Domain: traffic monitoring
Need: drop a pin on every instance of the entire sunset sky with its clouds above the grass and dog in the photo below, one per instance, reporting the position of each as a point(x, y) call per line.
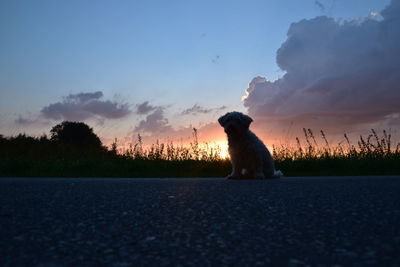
point(160, 68)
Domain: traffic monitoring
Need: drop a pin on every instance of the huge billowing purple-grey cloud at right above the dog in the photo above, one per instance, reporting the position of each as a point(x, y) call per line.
point(340, 75)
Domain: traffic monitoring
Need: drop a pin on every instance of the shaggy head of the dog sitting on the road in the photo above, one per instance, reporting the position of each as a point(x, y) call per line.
point(235, 122)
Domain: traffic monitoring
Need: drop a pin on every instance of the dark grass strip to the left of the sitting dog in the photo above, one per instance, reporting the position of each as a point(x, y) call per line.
point(41, 157)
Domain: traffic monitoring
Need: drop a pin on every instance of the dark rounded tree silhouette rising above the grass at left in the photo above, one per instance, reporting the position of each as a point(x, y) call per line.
point(75, 133)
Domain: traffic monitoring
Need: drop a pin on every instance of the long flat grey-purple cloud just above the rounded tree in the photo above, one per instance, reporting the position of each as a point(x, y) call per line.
point(84, 106)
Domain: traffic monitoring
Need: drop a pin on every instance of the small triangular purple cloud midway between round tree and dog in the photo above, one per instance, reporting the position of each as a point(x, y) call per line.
point(154, 123)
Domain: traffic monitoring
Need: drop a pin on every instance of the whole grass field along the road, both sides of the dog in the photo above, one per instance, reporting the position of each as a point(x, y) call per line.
point(42, 157)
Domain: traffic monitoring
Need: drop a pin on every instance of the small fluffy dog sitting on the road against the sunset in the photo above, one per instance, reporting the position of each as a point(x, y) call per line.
point(250, 158)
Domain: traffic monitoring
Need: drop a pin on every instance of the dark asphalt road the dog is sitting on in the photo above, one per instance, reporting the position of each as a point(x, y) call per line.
point(347, 221)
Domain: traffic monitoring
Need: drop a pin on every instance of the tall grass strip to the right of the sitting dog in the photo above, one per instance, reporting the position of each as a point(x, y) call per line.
point(372, 155)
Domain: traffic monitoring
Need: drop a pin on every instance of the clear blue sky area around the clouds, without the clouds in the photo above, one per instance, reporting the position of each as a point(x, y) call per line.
point(174, 54)
